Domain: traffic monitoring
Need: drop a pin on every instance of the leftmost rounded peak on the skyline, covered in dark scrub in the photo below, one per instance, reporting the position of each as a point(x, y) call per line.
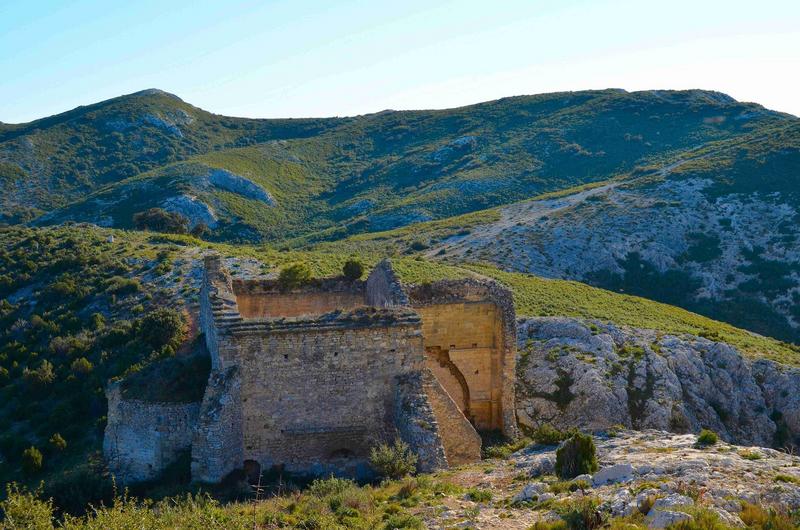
point(47, 163)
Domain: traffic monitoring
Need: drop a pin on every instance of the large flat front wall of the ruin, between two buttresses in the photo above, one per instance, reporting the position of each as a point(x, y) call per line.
point(330, 393)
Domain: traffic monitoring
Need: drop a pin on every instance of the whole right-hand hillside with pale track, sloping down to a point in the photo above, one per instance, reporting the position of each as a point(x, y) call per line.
point(714, 230)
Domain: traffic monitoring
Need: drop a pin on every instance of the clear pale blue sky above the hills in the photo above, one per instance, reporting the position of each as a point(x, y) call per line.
point(324, 58)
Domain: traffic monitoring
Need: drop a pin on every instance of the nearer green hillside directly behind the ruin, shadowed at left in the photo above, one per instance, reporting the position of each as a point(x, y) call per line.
point(78, 309)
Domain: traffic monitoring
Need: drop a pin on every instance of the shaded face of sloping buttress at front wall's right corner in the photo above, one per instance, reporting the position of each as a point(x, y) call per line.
point(416, 422)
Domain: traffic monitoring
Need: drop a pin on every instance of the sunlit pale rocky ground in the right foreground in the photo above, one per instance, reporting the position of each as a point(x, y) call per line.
point(653, 477)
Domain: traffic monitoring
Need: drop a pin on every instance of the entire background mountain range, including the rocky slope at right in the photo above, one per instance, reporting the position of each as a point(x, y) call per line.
point(686, 197)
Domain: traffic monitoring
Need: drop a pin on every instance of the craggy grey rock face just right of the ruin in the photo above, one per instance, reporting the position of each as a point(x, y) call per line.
point(593, 375)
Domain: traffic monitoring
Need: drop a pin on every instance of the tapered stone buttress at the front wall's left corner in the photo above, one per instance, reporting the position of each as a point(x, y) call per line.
point(217, 442)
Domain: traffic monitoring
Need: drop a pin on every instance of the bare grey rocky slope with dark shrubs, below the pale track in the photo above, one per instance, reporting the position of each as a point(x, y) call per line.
point(646, 236)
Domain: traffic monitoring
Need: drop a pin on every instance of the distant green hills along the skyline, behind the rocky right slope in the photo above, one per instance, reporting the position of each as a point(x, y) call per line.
point(325, 179)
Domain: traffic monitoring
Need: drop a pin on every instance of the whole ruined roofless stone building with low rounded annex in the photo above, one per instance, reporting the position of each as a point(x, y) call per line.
point(313, 378)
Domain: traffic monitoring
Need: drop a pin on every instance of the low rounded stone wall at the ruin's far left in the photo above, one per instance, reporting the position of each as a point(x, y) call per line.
point(143, 438)
